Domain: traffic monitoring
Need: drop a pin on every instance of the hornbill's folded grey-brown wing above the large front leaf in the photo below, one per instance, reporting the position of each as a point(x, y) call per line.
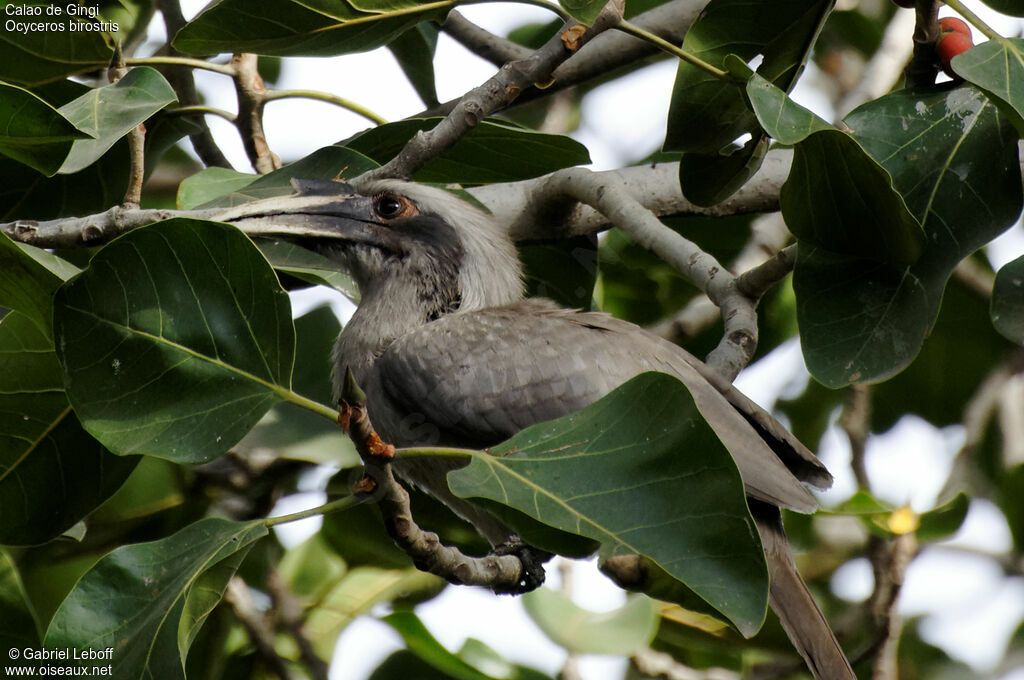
point(480, 377)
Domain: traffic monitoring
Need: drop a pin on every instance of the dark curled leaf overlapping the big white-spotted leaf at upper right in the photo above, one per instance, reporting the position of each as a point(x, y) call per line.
point(839, 199)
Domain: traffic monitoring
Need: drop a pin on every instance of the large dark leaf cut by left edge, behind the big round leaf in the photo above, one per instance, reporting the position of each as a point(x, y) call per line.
point(53, 474)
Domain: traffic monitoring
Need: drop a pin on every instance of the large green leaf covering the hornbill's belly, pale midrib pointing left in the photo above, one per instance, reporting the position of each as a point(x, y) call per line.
point(649, 433)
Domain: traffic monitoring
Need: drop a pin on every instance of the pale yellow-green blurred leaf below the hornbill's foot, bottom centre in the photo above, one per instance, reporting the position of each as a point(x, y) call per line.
point(621, 632)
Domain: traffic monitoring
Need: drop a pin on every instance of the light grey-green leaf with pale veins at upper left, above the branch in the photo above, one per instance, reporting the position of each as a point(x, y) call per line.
point(110, 113)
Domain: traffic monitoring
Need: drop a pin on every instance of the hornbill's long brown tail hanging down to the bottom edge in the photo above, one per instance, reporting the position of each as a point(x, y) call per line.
point(800, 615)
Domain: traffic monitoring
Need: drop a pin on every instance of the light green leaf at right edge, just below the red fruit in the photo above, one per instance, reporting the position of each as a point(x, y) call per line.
point(998, 68)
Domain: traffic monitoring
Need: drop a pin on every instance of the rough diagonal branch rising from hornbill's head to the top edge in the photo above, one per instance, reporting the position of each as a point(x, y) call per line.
point(497, 94)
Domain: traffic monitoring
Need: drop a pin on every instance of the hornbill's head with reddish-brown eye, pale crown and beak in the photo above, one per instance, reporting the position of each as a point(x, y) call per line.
point(393, 236)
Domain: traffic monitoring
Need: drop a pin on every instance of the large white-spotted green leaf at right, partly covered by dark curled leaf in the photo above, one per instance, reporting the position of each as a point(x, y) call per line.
point(954, 159)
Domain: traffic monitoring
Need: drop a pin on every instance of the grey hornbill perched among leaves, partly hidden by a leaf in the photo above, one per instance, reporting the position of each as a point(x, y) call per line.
point(450, 353)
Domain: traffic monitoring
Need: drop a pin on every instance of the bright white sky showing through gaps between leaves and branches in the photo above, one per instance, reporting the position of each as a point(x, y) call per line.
point(969, 609)
